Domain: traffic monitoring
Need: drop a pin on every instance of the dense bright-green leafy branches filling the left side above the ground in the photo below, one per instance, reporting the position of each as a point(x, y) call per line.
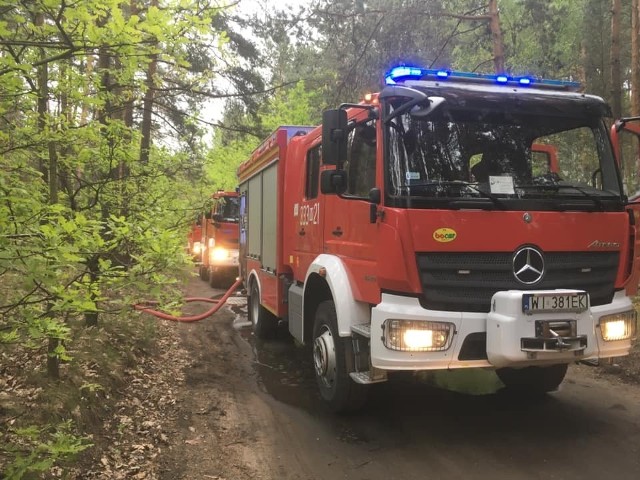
point(111, 224)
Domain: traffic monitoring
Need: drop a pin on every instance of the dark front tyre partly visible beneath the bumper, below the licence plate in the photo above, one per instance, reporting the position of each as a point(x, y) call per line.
point(532, 380)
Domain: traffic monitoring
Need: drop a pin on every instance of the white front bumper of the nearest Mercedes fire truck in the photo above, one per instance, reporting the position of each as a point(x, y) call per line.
point(513, 338)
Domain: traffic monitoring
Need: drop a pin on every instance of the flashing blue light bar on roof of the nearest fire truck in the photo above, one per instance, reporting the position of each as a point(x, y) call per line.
point(403, 73)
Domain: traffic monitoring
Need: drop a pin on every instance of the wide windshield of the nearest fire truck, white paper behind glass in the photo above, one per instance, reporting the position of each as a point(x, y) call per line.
point(503, 159)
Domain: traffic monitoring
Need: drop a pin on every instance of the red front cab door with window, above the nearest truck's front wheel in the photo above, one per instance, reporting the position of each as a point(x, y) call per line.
point(348, 232)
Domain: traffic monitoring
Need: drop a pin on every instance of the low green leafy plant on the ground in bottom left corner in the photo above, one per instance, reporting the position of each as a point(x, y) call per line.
point(35, 450)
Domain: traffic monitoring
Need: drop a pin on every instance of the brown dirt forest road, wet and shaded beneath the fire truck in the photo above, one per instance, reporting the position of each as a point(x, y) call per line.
point(249, 410)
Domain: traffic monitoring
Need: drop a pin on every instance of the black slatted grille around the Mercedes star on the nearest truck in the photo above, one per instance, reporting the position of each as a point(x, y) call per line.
point(467, 281)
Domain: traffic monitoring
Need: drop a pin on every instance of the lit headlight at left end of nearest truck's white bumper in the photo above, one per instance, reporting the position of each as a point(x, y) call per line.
point(417, 336)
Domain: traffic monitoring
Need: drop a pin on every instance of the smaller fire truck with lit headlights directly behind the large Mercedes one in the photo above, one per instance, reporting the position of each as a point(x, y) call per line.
point(219, 242)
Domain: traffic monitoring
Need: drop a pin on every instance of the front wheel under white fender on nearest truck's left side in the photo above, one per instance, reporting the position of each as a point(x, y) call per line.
point(332, 357)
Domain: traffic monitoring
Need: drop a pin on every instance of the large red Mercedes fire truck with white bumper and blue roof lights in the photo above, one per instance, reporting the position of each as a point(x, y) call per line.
point(417, 231)
